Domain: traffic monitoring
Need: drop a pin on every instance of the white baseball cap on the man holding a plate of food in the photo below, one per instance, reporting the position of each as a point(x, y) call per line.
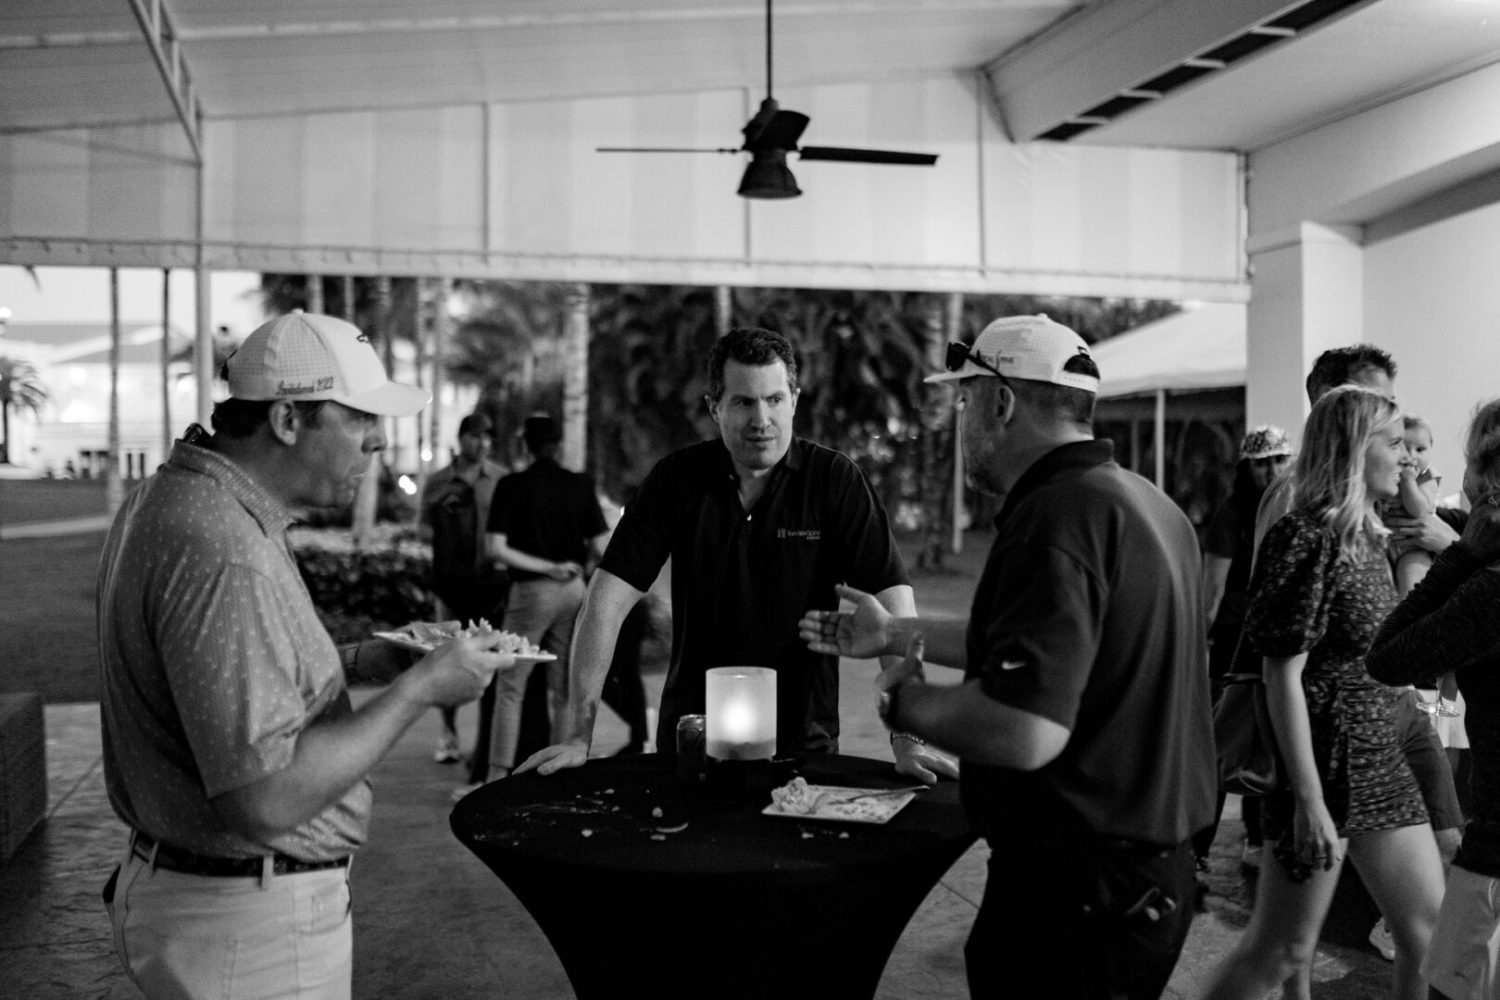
point(308, 356)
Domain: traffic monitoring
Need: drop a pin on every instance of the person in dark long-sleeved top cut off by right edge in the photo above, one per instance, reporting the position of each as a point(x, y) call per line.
point(1451, 623)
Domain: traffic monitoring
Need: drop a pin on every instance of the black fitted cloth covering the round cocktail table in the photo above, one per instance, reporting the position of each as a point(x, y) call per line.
point(647, 887)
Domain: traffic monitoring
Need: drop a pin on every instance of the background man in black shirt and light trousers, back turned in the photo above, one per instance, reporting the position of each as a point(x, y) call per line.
point(545, 525)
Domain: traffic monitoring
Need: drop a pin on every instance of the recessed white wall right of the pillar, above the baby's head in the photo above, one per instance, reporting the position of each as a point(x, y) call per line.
point(1433, 301)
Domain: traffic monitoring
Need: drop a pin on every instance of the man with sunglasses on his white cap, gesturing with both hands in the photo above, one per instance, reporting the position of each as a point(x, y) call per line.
point(1084, 722)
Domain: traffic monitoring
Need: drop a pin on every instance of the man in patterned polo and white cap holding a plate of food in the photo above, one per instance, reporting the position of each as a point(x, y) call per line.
point(232, 749)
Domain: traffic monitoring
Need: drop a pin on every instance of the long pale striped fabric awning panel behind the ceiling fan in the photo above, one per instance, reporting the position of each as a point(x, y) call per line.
point(541, 202)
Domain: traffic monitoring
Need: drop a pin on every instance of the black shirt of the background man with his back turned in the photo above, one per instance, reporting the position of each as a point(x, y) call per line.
point(547, 512)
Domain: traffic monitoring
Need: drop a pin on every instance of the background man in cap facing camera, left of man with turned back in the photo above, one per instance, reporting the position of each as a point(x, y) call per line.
point(466, 584)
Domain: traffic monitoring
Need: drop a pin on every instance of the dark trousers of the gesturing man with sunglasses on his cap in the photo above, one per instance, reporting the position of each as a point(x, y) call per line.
point(1064, 924)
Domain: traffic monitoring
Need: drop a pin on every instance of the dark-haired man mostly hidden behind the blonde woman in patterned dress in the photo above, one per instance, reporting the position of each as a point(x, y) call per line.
point(1367, 365)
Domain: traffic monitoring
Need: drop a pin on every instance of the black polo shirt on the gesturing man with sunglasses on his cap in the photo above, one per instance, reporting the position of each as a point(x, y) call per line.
point(1088, 614)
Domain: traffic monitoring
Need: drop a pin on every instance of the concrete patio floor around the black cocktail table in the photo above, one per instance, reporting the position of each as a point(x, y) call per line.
point(433, 923)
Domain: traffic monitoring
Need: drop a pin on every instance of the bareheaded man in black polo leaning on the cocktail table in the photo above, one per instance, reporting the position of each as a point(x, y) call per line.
point(760, 527)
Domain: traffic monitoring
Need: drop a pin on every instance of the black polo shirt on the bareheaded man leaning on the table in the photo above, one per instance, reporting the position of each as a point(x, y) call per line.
point(743, 579)
